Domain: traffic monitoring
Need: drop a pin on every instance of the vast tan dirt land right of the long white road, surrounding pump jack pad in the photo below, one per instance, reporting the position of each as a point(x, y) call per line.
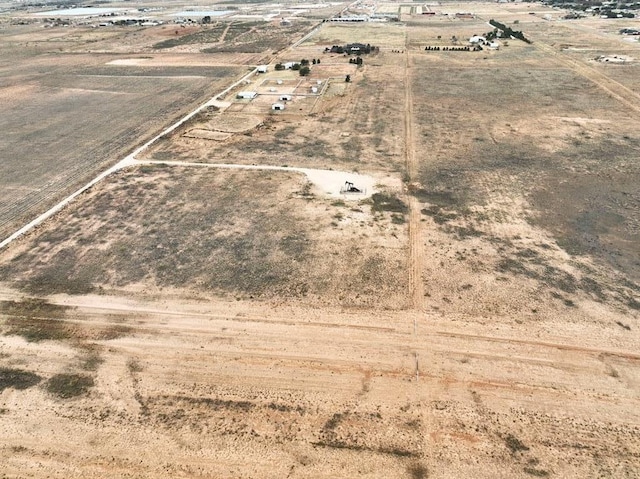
point(476, 317)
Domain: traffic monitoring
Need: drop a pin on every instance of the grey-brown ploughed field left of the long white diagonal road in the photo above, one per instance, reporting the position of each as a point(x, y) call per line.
point(66, 116)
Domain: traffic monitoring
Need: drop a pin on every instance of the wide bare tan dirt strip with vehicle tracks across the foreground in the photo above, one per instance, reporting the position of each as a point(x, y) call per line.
point(239, 390)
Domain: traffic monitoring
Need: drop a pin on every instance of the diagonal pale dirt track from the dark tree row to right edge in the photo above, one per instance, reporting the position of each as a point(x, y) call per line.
point(617, 90)
